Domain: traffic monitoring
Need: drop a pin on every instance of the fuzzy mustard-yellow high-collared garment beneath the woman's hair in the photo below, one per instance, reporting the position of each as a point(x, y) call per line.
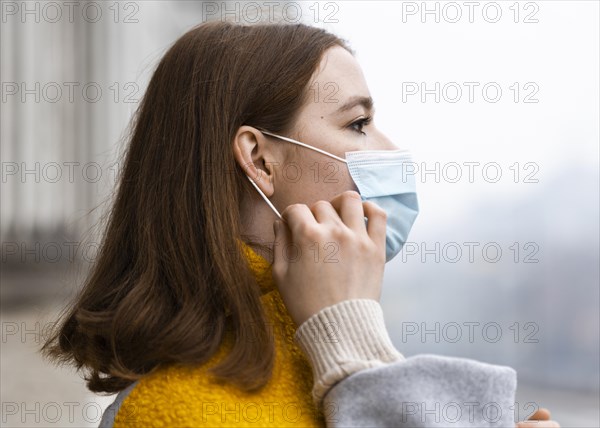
point(188, 397)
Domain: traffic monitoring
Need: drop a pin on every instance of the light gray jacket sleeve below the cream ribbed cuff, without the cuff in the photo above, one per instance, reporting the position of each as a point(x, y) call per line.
point(424, 391)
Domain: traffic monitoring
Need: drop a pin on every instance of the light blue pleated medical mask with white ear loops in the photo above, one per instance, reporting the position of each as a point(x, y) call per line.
point(381, 177)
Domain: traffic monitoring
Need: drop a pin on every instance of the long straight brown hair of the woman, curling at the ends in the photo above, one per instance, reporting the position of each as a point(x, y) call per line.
point(170, 265)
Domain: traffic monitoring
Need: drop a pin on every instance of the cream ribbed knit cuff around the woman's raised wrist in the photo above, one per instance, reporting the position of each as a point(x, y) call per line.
point(342, 339)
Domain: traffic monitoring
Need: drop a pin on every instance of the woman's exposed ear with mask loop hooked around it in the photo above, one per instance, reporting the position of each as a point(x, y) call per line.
point(254, 155)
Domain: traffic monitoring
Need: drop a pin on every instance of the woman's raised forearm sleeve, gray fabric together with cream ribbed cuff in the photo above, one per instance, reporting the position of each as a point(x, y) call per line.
point(362, 380)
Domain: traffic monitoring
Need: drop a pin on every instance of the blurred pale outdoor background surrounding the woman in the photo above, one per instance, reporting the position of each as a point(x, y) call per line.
point(498, 101)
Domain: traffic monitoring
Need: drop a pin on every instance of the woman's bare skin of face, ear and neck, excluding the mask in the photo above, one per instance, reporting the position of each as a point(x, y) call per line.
point(335, 118)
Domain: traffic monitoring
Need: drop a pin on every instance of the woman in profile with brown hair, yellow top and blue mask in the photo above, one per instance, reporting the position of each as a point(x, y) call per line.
point(193, 307)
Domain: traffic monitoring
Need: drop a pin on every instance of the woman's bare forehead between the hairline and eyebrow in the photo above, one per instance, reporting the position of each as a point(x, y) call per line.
point(338, 78)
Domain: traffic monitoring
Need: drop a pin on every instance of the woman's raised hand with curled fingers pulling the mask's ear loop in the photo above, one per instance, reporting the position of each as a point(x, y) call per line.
point(326, 254)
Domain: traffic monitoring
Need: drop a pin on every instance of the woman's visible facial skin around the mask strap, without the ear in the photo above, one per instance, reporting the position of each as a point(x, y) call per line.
point(335, 119)
